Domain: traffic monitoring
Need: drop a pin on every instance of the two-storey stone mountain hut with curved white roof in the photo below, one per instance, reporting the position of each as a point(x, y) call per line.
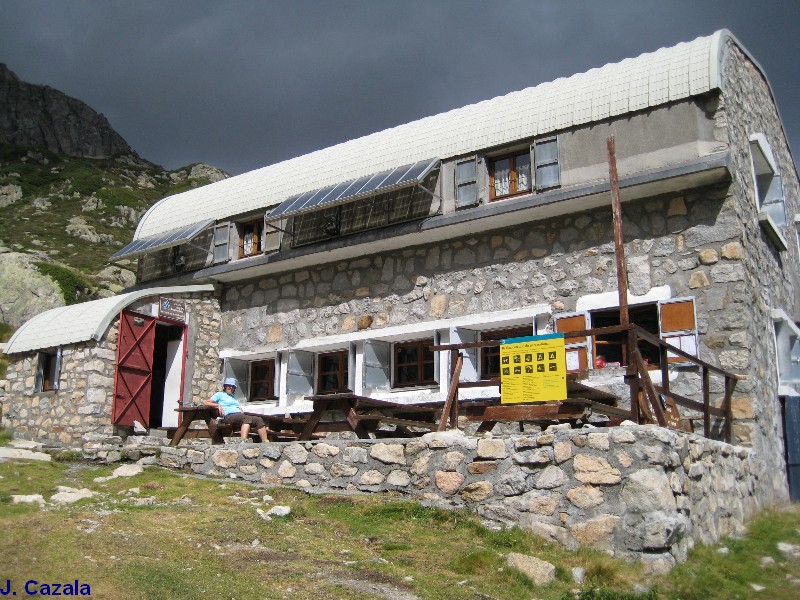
point(340, 268)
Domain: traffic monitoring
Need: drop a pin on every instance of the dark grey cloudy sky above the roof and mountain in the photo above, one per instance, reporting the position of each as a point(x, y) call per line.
point(243, 84)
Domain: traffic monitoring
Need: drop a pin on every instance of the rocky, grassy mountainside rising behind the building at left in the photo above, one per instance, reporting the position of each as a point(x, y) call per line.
point(71, 194)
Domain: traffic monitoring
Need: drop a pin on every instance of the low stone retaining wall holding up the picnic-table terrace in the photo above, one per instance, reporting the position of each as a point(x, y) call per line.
point(637, 492)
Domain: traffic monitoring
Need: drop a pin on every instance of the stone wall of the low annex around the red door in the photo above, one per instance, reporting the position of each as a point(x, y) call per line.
point(83, 403)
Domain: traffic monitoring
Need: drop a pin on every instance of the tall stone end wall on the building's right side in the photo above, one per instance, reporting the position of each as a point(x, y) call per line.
point(770, 277)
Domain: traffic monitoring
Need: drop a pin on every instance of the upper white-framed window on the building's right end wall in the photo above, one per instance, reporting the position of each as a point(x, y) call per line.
point(764, 171)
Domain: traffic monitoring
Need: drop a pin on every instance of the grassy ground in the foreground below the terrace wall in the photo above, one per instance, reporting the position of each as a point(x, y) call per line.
point(198, 540)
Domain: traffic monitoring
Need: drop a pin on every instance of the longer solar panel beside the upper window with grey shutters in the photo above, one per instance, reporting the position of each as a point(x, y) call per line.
point(350, 190)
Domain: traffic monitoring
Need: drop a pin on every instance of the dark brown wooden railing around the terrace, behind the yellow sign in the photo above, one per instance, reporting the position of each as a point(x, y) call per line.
point(650, 403)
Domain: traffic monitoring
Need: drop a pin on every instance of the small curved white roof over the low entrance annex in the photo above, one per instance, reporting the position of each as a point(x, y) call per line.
point(81, 322)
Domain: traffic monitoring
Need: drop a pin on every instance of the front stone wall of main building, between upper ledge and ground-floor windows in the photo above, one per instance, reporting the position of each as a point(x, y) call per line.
point(689, 241)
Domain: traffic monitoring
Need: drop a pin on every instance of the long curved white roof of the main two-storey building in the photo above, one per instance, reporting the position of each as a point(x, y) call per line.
point(634, 84)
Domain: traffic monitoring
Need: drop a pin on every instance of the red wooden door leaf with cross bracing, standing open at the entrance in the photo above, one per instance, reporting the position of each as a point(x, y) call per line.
point(134, 377)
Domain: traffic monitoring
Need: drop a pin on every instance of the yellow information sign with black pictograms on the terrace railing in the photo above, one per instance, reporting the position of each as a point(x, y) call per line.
point(533, 369)
